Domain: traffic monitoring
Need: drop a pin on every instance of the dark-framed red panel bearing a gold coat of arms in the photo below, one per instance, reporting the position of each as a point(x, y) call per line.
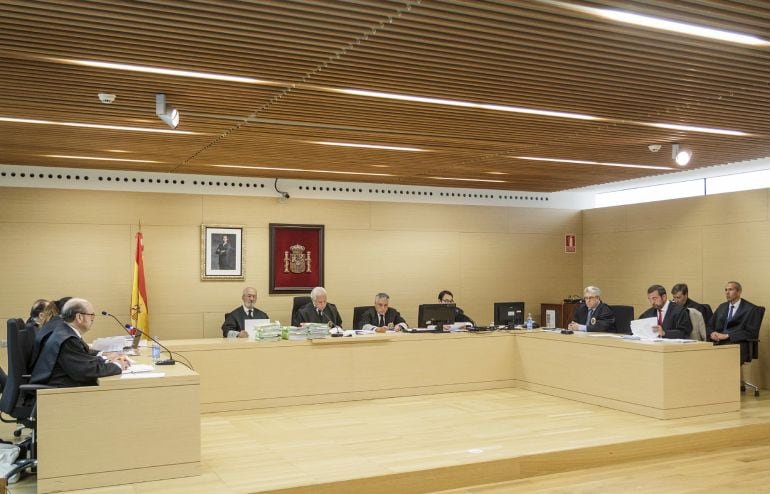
point(296, 258)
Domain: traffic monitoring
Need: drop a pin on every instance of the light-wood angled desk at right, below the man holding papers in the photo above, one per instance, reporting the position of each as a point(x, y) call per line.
point(654, 379)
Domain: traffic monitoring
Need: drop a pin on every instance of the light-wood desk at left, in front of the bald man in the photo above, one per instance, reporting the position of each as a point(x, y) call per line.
point(123, 431)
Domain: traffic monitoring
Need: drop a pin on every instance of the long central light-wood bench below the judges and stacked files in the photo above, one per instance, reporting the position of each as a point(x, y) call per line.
point(237, 374)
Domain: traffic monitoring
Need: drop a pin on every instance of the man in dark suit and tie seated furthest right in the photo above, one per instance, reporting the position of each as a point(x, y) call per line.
point(735, 321)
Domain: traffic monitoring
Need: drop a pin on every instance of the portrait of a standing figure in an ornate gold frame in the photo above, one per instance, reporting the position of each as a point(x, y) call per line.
point(222, 252)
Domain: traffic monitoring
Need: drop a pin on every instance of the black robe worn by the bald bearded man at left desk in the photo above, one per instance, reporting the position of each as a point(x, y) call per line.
point(66, 361)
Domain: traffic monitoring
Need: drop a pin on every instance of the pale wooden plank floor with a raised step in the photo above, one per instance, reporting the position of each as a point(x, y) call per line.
point(496, 441)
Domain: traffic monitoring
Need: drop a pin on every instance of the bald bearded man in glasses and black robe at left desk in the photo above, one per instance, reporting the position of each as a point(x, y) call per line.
point(66, 360)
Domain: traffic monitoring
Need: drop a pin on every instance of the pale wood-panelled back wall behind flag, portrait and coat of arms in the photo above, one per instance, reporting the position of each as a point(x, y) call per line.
point(66, 242)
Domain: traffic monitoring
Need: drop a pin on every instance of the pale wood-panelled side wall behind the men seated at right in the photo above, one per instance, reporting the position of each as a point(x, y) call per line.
point(703, 241)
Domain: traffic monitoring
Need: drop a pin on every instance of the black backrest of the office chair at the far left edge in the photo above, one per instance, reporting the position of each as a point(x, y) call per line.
point(21, 342)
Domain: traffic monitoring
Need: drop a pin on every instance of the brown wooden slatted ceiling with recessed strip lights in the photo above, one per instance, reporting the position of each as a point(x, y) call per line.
point(533, 54)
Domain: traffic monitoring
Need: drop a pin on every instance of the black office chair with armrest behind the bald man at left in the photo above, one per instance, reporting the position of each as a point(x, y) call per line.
point(19, 398)
